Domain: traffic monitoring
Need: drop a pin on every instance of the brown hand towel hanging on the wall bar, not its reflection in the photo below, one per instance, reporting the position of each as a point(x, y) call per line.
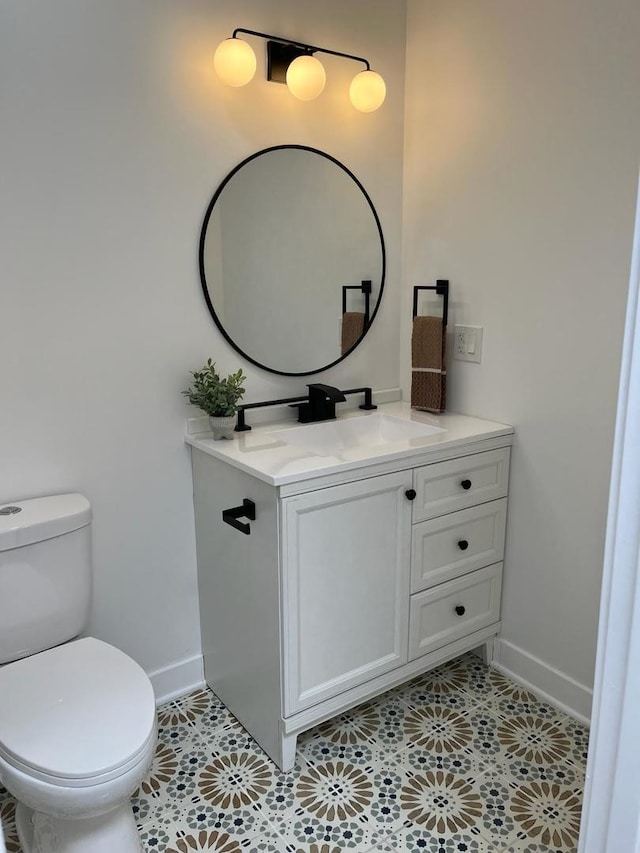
point(428, 375)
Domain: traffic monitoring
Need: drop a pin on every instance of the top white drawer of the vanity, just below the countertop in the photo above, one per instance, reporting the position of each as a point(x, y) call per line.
point(460, 483)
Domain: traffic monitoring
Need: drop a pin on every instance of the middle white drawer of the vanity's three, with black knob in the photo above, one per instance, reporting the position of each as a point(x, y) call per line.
point(452, 545)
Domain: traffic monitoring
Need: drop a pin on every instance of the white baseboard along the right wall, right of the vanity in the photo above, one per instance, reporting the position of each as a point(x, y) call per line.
point(545, 681)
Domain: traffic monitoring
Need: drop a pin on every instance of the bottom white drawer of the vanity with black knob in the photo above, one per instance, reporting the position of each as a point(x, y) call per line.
point(434, 620)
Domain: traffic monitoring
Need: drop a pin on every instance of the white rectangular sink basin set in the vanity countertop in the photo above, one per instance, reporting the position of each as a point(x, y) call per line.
point(330, 437)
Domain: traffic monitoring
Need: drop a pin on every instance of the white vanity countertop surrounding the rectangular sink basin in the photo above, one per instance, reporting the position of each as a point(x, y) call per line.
point(275, 462)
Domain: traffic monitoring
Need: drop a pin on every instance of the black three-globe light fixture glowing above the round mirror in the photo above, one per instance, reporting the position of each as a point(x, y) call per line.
point(294, 63)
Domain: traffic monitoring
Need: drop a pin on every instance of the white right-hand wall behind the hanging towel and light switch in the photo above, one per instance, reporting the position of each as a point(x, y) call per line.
point(521, 154)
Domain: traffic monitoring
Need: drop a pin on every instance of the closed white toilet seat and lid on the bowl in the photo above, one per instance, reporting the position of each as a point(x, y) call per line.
point(76, 715)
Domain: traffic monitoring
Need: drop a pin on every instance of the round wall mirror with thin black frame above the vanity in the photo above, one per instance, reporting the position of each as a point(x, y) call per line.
point(292, 260)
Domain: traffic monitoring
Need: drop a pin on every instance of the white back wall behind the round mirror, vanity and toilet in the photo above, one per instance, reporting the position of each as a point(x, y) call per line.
point(115, 133)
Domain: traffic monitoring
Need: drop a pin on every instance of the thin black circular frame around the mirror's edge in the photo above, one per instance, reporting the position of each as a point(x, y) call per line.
point(203, 279)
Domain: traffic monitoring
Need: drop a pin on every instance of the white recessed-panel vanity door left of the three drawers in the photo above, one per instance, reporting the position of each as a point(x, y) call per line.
point(345, 592)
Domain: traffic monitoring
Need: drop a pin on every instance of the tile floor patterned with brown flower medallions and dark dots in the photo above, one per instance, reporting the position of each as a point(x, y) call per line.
point(460, 759)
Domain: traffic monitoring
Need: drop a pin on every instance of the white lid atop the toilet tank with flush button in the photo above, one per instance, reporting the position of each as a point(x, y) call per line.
point(43, 518)
